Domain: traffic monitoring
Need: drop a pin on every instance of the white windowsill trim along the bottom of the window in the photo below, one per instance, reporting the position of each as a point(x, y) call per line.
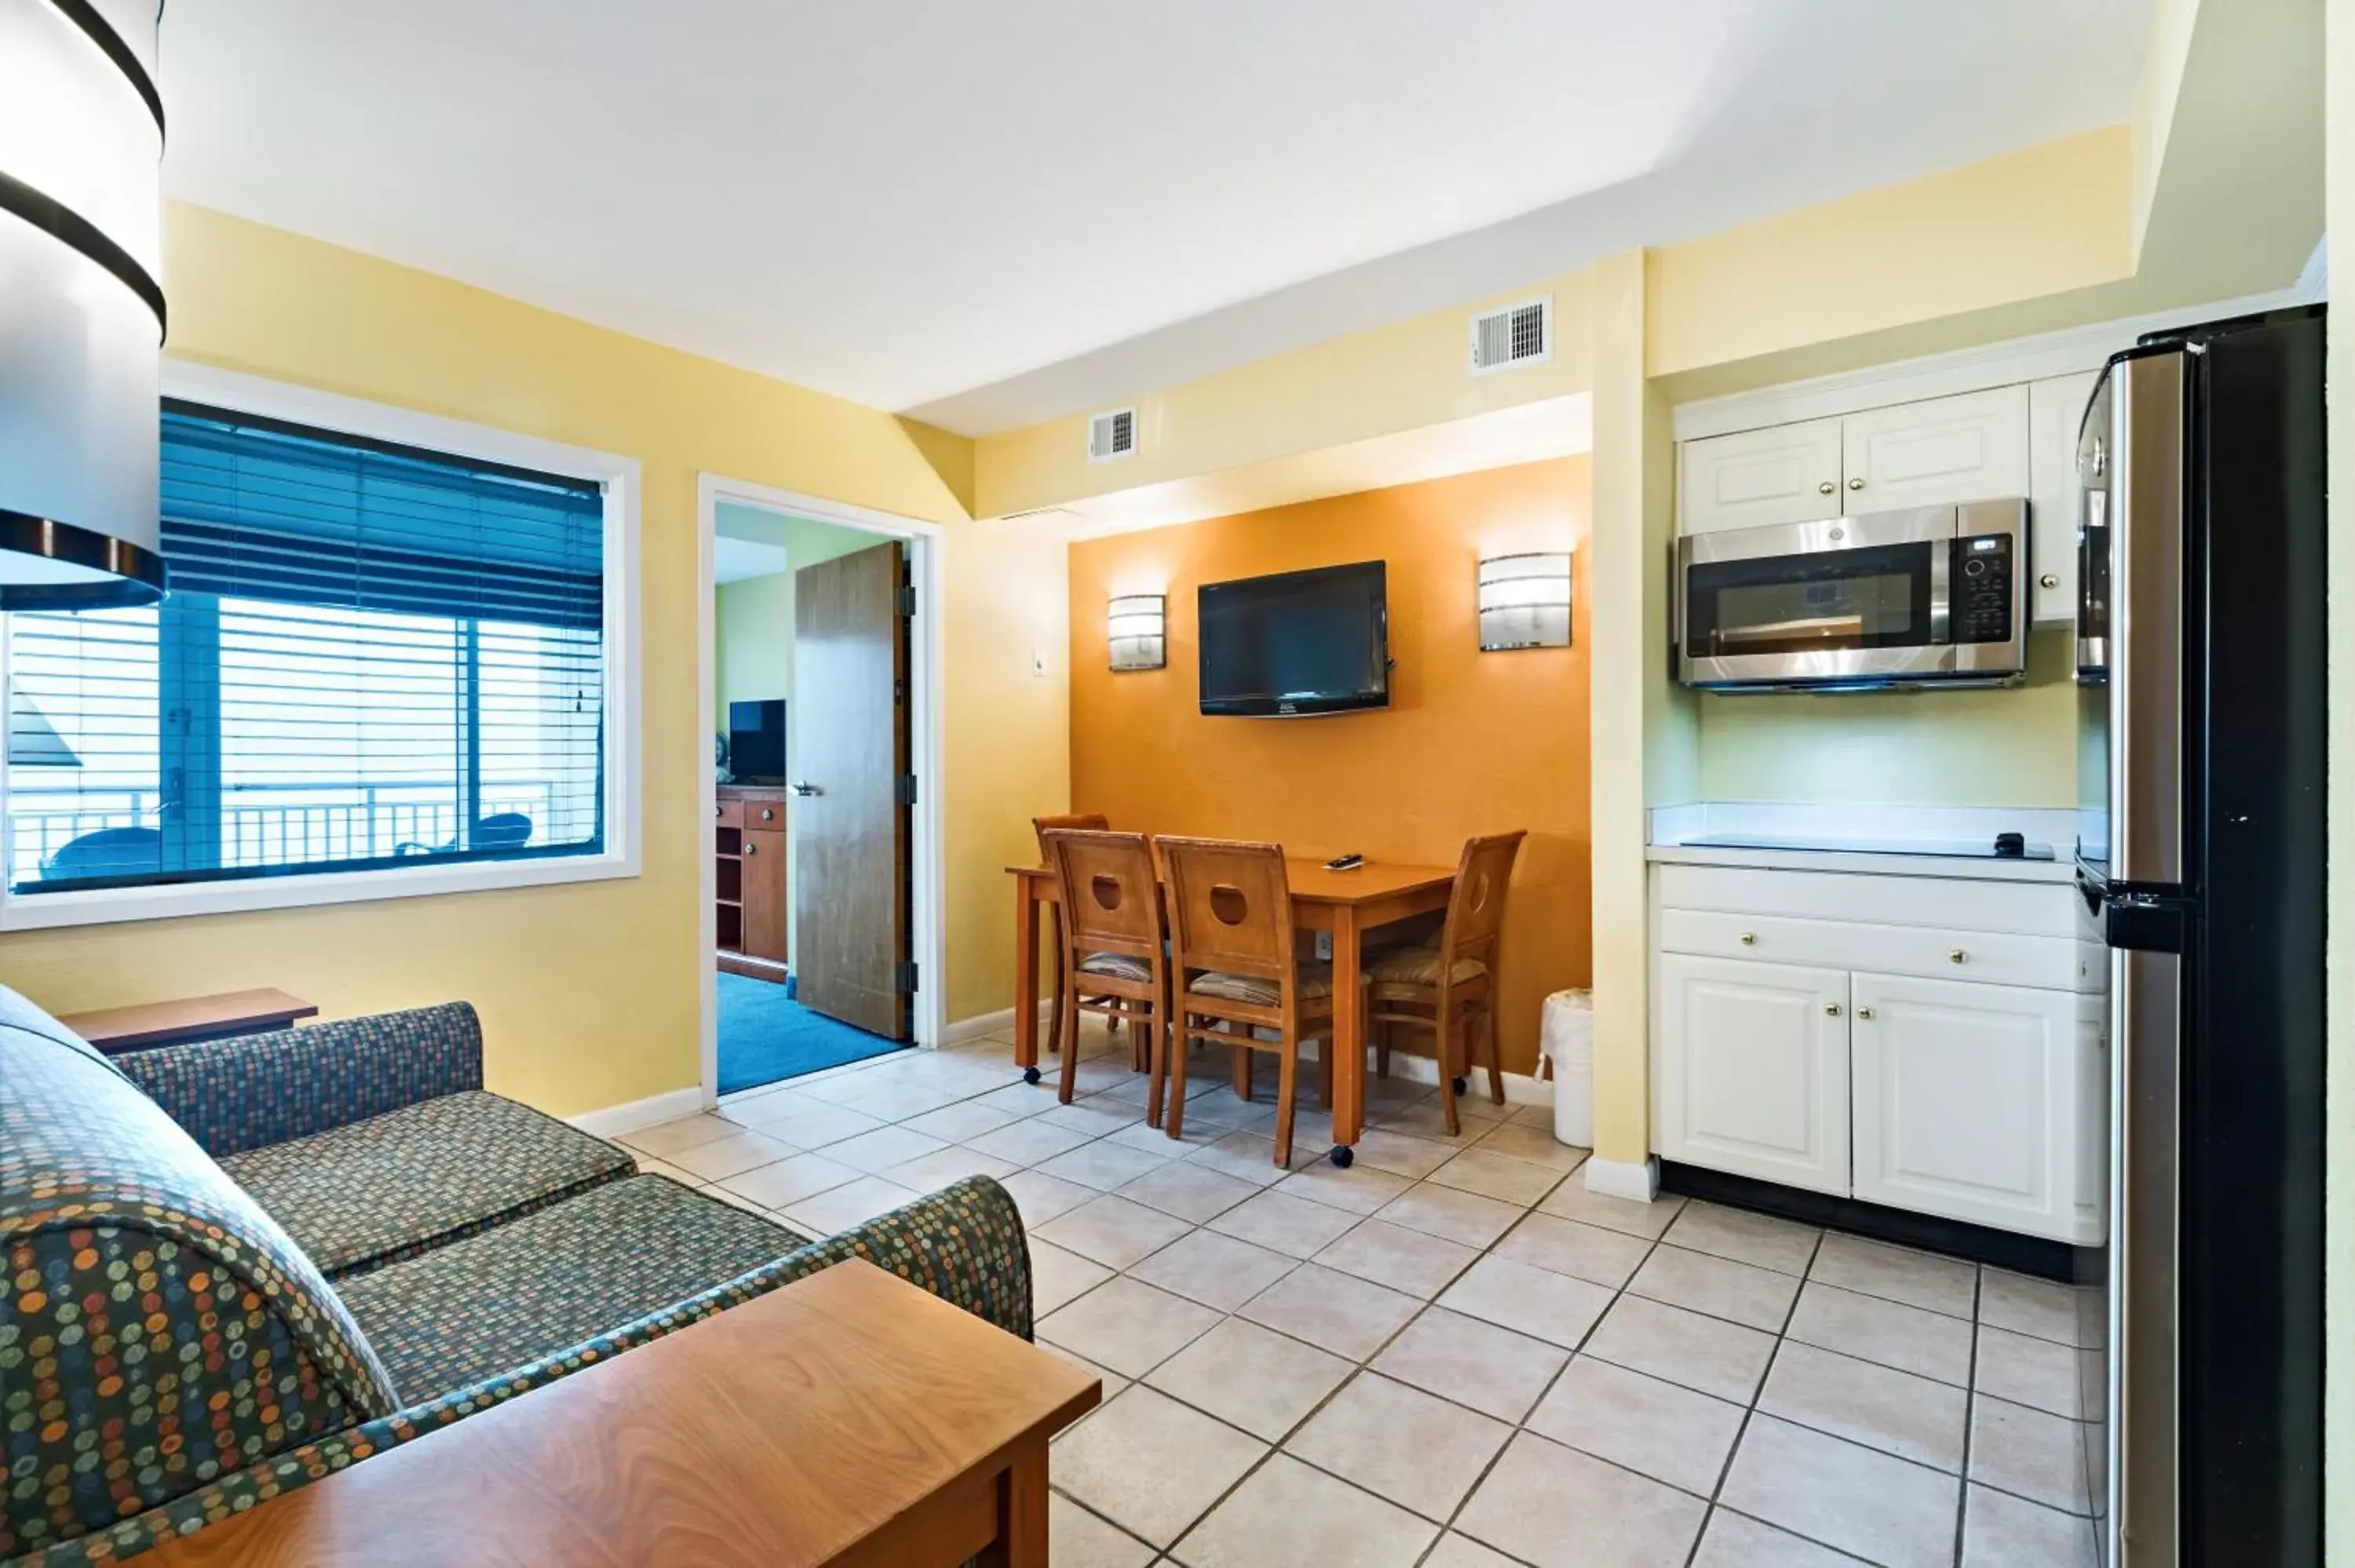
point(307, 891)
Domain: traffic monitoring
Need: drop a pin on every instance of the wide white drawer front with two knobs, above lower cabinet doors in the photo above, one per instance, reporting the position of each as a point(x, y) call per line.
point(1890, 950)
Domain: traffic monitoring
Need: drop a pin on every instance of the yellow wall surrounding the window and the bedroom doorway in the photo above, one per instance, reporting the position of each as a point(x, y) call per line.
point(588, 992)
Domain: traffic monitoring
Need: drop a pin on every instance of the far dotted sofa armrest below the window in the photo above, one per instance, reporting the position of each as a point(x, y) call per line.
point(267, 1089)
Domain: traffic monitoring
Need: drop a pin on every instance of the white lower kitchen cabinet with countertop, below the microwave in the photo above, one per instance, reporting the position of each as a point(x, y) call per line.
point(1979, 1101)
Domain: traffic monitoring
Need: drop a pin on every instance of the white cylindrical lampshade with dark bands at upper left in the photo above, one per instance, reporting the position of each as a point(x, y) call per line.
point(81, 312)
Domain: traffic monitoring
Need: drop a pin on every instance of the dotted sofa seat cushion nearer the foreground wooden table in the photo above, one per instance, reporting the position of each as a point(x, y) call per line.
point(508, 1296)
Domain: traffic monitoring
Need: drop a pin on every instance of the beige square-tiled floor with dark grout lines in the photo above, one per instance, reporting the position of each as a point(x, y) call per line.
point(1450, 1355)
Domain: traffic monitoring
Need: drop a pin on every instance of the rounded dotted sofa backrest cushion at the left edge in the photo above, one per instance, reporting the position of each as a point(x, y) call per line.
point(159, 1327)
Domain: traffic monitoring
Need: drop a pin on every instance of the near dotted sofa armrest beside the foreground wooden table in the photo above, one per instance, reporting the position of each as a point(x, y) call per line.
point(964, 1244)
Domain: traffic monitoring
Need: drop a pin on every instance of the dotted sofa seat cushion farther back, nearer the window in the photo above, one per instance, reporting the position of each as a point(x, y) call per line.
point(416, 1178)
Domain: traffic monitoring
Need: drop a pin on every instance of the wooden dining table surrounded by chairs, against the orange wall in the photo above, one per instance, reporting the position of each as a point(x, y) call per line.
point(1344, 903)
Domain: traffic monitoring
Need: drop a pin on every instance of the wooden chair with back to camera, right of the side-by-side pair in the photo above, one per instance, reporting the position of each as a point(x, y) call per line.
point(1238, 974)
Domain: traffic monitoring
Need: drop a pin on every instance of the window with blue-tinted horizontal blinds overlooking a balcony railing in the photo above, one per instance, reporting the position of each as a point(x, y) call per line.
point(373, 658)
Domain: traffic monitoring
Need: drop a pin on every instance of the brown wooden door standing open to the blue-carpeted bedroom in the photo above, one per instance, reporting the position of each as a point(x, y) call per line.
point(849, 823)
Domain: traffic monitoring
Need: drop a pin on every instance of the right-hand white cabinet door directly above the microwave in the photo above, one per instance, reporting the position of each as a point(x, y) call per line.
point(1932, 453)
